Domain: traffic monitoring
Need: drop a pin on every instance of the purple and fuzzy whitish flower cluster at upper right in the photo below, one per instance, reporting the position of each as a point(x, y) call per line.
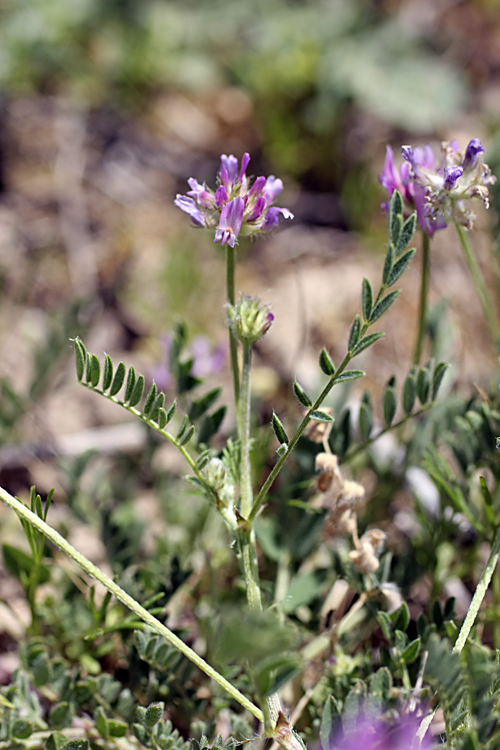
point(439, 189)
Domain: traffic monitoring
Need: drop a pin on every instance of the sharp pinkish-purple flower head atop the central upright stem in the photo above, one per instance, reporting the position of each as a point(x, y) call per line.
point(236, 207)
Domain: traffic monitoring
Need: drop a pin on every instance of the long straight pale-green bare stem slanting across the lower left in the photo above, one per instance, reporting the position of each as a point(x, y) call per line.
point(128, 601)
